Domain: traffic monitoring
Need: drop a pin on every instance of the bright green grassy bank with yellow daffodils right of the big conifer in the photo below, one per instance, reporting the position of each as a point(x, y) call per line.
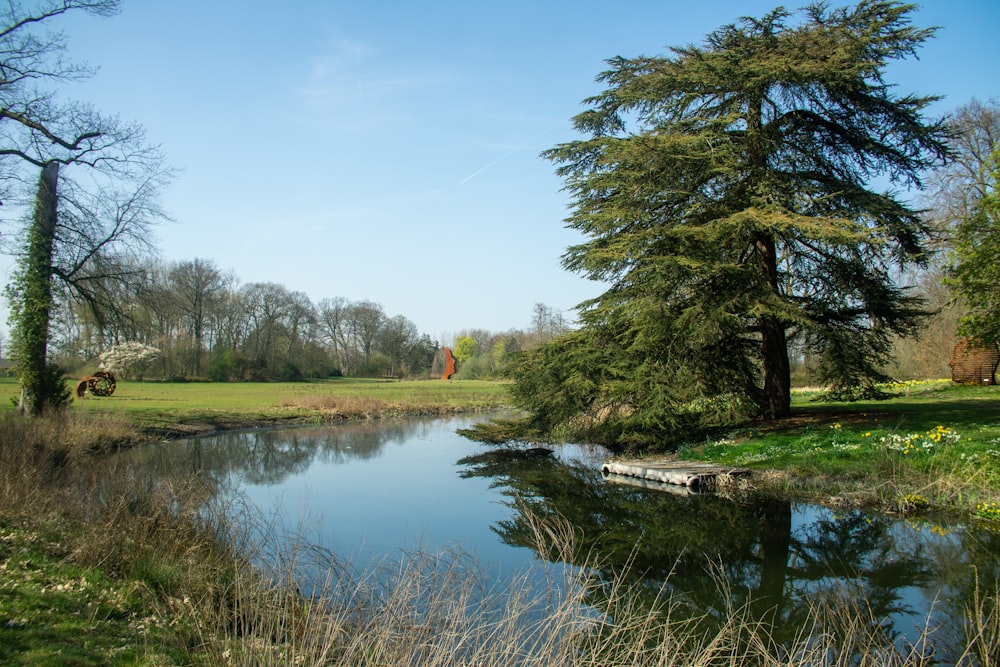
point(934, 446)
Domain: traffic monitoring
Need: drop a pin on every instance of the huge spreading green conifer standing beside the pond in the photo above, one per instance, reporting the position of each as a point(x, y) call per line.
point(725, 193)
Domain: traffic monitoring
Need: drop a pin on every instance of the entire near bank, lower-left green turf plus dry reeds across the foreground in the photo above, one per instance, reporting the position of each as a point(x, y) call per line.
point(123, 565)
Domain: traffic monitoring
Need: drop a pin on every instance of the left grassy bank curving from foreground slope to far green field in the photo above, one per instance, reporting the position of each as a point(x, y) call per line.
point(106, 566)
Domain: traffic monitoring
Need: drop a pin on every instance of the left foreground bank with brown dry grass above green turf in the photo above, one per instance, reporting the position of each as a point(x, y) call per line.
point(92, 559)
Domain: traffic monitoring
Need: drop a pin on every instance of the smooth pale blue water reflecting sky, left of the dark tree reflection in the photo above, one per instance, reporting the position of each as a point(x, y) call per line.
point(366, 490)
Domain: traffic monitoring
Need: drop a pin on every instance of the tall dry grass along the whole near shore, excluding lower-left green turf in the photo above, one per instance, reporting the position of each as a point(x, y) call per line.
point(237, 590)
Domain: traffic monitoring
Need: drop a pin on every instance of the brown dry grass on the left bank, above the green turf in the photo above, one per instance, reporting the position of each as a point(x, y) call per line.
point(106, 511)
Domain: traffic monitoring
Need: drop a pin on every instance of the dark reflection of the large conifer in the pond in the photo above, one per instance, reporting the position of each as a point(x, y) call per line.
point(778, 559)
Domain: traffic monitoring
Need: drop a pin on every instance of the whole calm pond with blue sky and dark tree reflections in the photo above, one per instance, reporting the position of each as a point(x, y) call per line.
point(374, 491)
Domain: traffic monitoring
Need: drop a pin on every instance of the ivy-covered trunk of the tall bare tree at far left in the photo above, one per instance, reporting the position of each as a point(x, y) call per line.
point(35, 310)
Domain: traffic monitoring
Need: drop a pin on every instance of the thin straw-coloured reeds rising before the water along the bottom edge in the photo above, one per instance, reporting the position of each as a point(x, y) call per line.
point(434, 610)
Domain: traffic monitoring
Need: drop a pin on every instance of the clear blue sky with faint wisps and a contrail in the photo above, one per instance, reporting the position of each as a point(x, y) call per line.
point(389, 151)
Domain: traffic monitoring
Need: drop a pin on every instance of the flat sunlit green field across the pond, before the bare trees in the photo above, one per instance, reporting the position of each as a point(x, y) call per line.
point(175, 408)
